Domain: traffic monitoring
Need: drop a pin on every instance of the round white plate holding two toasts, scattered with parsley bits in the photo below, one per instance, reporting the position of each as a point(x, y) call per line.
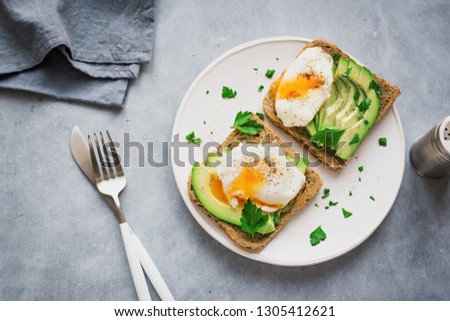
point(210, 117)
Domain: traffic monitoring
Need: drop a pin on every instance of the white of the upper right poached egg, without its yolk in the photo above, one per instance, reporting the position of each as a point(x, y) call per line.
point(300, 111)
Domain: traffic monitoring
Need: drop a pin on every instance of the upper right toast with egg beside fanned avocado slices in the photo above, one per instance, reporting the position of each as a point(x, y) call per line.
point(328, 102)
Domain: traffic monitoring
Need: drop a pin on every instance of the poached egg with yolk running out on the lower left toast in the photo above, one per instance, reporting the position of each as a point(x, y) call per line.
point(257, 172)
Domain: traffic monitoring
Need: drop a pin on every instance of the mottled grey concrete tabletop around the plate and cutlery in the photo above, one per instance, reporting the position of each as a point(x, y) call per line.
point(59, 240)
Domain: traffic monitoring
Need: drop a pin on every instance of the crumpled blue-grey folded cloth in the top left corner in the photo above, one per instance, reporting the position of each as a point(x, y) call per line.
point(81, 50)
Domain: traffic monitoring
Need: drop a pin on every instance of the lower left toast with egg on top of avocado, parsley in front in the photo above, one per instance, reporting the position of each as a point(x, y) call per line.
point(253, 184)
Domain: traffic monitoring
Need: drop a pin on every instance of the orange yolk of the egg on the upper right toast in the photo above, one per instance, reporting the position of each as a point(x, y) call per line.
point(298, 86)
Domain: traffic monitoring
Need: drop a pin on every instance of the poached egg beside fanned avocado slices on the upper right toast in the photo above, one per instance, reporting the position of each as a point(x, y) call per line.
point(304, 87)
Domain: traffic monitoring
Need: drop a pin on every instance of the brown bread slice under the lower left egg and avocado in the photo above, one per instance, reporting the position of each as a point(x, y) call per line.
point(311, 187)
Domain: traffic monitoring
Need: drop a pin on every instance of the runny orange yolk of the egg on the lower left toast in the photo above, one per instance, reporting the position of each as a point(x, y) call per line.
point(244, 186)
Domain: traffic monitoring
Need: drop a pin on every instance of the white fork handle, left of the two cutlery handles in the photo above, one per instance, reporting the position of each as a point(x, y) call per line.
point(135, 266)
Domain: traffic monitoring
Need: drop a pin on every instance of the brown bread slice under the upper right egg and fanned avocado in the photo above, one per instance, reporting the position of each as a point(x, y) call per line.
point(326, 156)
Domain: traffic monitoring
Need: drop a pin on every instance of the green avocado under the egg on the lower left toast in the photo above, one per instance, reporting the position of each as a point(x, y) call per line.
point(201, 178)
